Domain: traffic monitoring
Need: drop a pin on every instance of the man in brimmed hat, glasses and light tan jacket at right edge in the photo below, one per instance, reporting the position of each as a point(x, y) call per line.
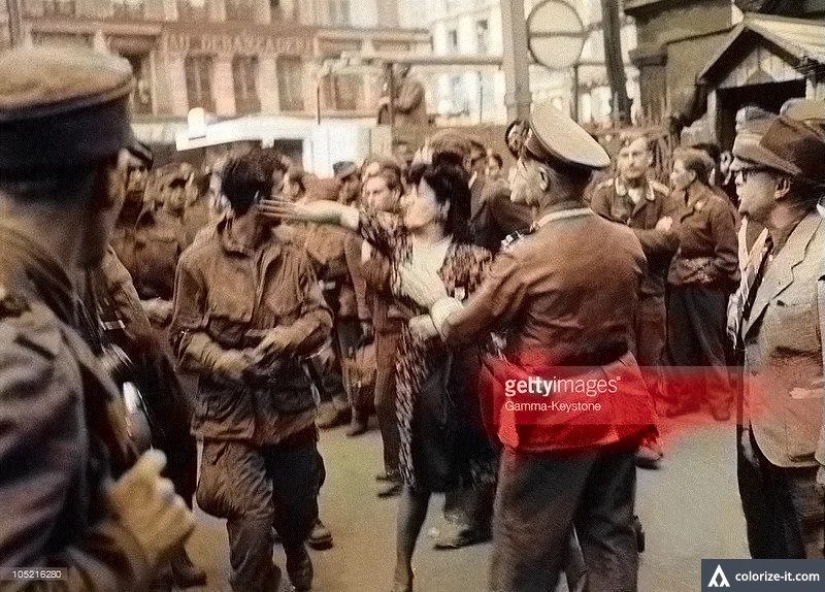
point(779, 309)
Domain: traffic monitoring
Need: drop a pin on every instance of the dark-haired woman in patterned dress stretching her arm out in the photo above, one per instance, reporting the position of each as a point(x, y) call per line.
point(432, 231)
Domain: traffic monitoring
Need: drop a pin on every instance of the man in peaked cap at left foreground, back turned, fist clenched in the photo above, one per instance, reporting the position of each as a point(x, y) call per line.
point(64, 122)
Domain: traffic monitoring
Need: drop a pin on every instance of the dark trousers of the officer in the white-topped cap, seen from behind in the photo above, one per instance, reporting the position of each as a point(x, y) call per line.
point(542, 498)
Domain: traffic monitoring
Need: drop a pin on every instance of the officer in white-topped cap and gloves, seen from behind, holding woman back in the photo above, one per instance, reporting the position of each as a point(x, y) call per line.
point(567, 292)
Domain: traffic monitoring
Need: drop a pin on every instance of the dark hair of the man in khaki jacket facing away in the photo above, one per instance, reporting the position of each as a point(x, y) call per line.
point(248, 178)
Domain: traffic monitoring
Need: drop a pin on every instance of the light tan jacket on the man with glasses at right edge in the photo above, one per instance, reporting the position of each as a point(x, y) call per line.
point(783, 369)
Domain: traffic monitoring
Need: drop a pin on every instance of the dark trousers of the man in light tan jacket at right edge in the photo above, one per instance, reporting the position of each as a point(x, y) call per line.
point(784, 511)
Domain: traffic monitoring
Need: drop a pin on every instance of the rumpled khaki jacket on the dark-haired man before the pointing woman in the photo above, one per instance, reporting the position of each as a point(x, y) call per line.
point(227, 298)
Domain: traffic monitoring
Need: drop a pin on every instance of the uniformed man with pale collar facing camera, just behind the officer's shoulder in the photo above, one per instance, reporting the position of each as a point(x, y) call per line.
point(644, 205)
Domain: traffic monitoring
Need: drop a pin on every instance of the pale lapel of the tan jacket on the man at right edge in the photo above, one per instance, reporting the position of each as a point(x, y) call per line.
point(780, 273)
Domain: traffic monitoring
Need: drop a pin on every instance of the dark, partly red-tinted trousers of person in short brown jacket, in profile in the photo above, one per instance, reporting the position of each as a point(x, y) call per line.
point(697, 317)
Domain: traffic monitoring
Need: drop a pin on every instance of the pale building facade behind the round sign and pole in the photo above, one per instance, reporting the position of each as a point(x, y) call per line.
point(474, 27)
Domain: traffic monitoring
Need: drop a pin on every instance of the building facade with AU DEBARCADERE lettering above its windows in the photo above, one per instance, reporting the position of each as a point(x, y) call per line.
point(232, 57)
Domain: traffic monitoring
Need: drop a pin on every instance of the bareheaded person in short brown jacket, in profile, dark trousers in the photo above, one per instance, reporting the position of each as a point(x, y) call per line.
point(703, 273)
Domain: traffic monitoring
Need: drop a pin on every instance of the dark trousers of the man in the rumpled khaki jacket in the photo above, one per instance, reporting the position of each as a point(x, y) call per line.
point(265, 486)
